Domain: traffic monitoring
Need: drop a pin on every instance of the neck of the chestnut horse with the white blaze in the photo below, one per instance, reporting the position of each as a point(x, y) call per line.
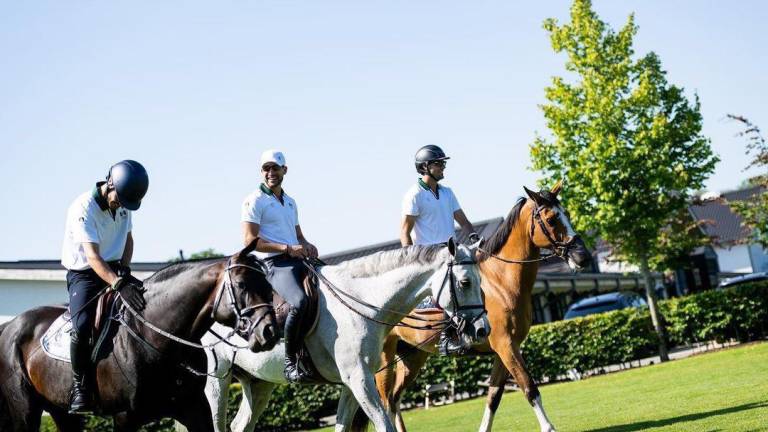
point(513, 281)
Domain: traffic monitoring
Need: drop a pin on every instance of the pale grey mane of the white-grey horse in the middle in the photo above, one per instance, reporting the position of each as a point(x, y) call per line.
point(382, 262)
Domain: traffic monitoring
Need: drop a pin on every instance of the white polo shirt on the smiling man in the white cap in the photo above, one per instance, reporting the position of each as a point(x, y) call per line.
point(277, 221)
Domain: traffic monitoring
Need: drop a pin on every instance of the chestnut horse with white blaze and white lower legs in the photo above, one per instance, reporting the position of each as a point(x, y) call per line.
point(508, 267)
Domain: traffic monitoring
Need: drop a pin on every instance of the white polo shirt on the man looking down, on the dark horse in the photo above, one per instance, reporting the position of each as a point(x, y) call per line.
point(89, 220)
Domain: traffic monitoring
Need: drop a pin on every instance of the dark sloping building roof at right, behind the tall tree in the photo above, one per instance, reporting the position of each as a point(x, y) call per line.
point(724, 225)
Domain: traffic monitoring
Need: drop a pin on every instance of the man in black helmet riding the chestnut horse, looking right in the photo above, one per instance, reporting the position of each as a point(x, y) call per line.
point(429, 210)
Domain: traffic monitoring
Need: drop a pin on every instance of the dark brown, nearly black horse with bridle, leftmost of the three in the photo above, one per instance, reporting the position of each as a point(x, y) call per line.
point(147, 375)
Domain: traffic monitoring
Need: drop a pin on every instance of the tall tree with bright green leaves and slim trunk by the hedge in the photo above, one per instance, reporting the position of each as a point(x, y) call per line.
point(629, 143)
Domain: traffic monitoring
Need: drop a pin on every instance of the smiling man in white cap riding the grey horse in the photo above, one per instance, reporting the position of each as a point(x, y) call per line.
point(271, 215)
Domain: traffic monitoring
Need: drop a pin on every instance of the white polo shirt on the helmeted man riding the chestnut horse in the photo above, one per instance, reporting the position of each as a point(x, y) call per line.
point(434, 214)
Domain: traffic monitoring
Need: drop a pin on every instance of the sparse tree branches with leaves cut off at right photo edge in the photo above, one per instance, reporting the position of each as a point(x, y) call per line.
point(754, 211)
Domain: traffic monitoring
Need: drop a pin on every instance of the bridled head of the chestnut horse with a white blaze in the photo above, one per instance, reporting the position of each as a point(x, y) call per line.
point(551, 228)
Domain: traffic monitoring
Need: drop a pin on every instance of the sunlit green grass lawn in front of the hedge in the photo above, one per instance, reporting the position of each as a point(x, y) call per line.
point(720, 391)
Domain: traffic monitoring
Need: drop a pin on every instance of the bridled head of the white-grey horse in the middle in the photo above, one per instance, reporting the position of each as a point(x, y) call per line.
point(457, 291)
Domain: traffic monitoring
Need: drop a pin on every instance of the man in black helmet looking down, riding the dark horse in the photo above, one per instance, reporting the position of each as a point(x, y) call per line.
point(97, 250)
